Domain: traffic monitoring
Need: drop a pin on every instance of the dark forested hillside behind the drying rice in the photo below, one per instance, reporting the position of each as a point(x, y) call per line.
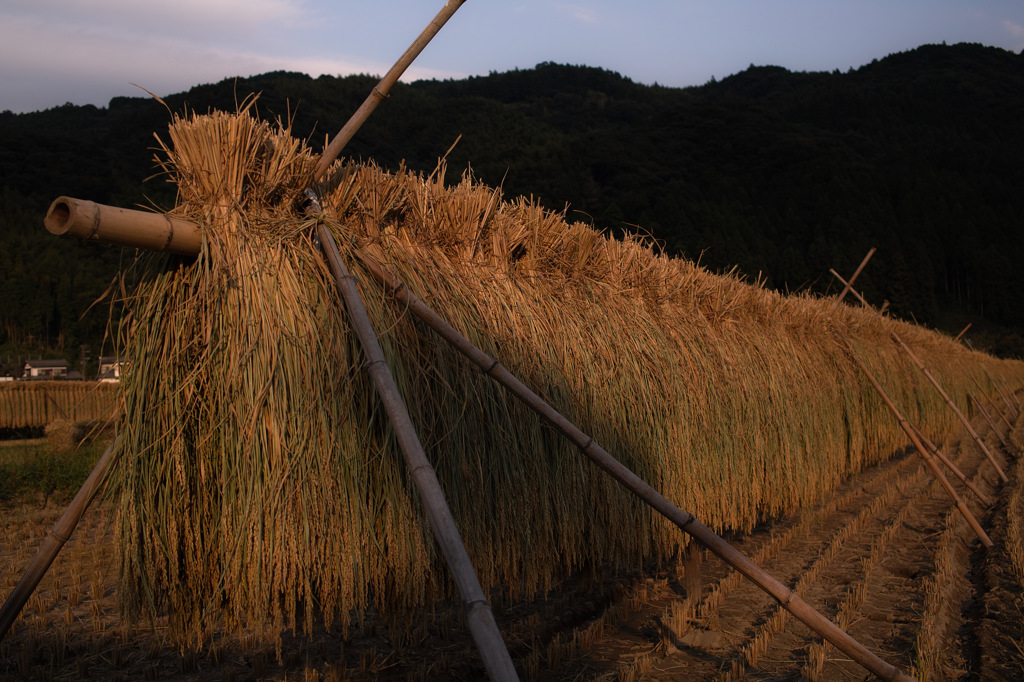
point(782, 175)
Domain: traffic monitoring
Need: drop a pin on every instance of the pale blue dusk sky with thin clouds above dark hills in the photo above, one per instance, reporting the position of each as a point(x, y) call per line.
point(89, 52)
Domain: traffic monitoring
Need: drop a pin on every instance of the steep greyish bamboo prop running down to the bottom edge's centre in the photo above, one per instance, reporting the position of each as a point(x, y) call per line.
point(479, 616)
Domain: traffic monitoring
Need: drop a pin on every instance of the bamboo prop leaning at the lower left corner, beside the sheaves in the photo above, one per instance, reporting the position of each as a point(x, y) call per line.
point(55, 542)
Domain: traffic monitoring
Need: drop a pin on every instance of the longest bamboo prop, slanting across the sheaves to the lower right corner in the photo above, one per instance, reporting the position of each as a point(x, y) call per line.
point(685, 521)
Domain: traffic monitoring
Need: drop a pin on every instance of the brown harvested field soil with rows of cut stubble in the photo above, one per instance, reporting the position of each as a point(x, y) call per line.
point(888, 558)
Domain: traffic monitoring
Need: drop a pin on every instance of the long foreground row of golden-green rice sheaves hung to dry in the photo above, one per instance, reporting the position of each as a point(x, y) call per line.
point(260, 480)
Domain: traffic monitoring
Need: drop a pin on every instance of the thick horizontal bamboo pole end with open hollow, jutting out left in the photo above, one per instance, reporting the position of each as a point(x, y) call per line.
point(97, 223)
